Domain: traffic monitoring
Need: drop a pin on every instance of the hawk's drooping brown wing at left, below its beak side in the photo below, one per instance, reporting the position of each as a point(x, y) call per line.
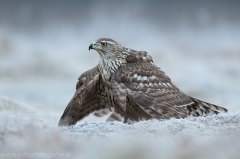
point(84, 101)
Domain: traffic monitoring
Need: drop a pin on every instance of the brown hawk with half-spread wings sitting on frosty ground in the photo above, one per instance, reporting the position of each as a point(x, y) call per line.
point(127, 83)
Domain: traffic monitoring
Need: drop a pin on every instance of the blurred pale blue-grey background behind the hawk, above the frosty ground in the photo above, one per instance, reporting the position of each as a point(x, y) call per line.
point(44, 45)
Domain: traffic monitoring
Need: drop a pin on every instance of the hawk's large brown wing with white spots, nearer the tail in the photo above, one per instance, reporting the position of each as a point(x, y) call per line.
point(151, 89)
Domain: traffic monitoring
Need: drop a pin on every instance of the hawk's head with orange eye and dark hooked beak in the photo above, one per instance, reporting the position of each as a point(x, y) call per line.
point(107, 48)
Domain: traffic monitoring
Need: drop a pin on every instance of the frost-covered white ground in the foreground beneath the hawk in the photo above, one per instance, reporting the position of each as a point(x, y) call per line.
point(34, 131)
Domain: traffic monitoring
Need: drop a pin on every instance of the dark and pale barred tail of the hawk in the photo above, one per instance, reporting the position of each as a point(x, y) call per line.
point(201, 108)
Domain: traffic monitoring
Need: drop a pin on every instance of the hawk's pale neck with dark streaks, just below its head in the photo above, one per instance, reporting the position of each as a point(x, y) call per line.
point(107, 67)
